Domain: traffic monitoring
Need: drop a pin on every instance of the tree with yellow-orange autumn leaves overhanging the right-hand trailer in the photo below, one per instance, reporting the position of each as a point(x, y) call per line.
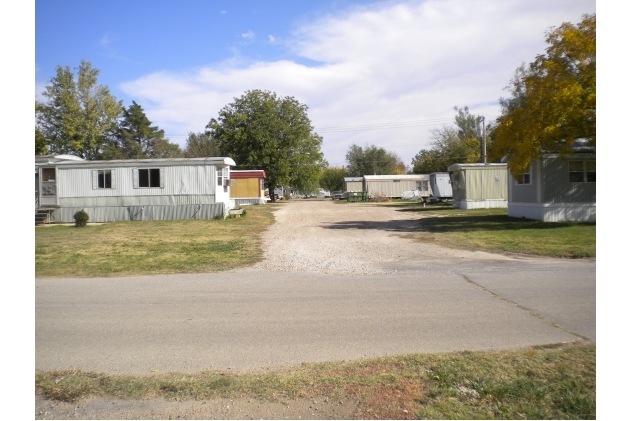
point(553, 99)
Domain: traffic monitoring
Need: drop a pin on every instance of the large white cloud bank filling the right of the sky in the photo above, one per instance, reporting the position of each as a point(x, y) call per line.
point(388, 62)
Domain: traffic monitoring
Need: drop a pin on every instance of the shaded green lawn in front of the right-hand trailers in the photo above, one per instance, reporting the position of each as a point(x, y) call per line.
point(492, 230)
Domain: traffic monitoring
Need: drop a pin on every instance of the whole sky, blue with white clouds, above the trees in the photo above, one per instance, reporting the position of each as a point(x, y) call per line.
point(382, 73)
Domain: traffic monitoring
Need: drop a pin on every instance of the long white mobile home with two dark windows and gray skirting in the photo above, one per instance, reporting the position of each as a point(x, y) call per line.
point(143, 189)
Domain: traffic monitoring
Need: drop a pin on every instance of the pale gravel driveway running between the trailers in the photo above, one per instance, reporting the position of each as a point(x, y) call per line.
point(353, 239)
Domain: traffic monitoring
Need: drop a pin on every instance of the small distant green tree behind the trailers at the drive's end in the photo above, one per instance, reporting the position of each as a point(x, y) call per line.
point(372, 160)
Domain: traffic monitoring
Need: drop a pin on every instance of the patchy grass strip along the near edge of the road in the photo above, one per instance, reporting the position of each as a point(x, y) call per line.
point(545, 382)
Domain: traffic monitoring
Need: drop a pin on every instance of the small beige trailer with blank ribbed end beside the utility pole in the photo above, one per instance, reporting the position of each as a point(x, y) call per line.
point(477, 186)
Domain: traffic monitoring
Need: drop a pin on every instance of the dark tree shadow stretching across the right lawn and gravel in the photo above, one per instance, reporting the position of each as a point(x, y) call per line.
point(456, 223)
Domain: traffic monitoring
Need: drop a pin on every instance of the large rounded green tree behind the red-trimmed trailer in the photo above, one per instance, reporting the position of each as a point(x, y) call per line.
point(262, 130)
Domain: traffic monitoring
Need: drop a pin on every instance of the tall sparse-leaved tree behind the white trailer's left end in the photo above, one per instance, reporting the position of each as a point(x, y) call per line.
point(78, 116)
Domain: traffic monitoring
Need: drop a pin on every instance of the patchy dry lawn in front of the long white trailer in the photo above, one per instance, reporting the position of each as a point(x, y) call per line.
point(151, 247)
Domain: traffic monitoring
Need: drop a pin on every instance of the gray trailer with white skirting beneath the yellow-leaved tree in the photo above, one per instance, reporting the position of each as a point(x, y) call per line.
point(556, 189)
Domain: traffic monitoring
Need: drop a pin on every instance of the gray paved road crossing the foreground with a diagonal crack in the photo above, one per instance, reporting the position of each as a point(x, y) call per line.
point(253, 319)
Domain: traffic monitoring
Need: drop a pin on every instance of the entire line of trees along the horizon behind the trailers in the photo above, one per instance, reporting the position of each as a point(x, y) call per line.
point(551, 104)
